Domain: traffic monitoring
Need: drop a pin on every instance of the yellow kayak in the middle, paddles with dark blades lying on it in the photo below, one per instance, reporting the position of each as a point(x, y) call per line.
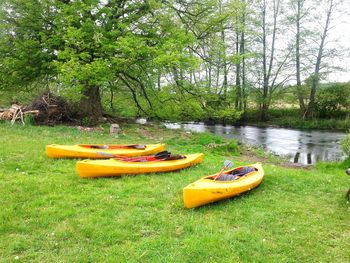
point(114, 167)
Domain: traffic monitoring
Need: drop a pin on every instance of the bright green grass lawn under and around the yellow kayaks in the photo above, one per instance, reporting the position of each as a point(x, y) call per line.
point(49, 214)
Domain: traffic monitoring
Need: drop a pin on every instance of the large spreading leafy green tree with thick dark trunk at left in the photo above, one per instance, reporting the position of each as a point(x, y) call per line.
point(85, 45)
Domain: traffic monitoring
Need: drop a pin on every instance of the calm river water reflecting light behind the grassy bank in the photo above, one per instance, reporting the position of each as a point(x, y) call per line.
point(305, 147)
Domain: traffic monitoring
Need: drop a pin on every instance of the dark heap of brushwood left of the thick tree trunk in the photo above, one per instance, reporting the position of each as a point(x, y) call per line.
point(52, 109)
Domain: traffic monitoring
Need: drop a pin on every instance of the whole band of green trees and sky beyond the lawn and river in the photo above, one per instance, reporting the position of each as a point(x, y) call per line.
point(213, 60)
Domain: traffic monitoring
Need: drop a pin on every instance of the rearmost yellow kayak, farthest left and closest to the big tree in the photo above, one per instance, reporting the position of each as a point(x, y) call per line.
point(94, 151)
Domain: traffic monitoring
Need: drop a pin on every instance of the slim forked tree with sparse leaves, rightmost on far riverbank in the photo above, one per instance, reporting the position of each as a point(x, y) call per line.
point(312, 22)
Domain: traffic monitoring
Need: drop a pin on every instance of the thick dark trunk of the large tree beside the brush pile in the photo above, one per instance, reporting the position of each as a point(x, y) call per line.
point(90, 106)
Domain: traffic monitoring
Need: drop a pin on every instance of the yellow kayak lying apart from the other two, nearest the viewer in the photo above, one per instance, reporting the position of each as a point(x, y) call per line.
point(207, 190)
